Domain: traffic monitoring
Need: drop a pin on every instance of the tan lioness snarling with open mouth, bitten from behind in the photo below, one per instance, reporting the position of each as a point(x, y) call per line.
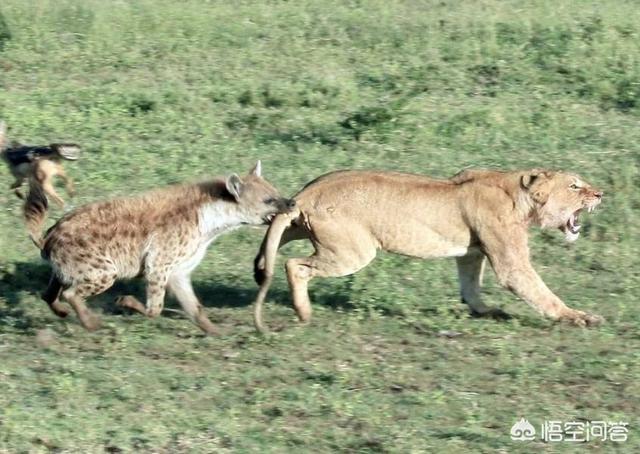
point(477, 214)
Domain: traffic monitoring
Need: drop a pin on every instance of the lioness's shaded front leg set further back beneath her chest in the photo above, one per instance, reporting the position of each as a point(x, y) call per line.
point(470, 273)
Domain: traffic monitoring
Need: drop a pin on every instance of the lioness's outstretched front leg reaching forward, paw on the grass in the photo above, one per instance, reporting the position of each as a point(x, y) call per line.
point(520, 277)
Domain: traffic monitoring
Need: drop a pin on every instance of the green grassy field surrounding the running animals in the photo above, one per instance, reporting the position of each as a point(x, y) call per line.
point(160, 91)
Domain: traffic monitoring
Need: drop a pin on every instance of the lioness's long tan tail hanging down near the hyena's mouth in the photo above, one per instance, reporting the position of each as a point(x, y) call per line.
point(265, 262)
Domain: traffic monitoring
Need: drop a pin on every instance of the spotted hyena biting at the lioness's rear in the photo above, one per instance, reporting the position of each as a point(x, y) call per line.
point(162, 235)
